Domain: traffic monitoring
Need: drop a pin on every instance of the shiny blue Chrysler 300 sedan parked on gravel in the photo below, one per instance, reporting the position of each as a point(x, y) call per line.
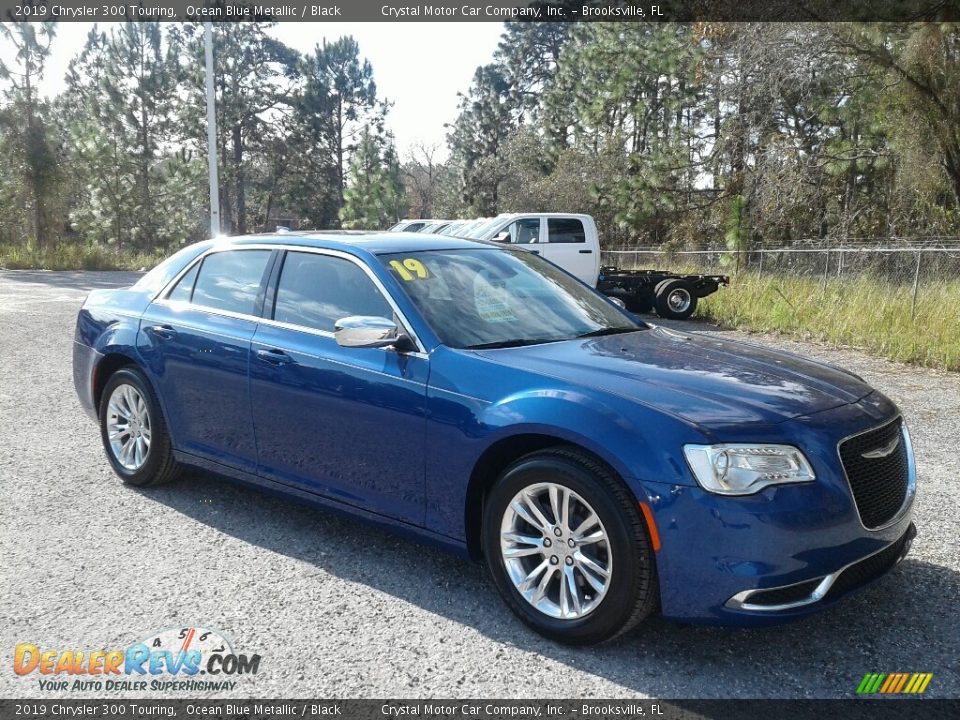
point(482, 398)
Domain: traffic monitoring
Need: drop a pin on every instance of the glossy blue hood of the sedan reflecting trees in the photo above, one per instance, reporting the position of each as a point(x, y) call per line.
point(709, 382)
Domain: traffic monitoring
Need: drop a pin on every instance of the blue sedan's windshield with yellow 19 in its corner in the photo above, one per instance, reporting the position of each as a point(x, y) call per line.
point(485, 298)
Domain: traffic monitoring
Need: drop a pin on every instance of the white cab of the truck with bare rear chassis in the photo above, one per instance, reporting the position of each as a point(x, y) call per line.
point(569, 240)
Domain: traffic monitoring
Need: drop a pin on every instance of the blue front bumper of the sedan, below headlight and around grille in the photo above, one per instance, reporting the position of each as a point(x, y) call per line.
point(784, 552)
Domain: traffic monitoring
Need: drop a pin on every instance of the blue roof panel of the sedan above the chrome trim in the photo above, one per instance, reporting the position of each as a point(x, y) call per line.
point(376, 242)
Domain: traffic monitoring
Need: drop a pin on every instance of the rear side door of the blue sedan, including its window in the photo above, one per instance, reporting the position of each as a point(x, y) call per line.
point(195, 341)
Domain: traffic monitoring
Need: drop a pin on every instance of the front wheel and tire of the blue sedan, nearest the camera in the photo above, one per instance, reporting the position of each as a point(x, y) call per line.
point(567, 548)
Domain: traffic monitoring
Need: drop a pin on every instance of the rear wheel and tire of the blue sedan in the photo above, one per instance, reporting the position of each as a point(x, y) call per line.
point(134, 432)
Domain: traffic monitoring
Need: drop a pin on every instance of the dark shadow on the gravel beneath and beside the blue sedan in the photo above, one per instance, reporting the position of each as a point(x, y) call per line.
point(904, 622)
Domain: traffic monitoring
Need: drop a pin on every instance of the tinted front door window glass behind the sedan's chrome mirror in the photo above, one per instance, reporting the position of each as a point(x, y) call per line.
point(317, 290)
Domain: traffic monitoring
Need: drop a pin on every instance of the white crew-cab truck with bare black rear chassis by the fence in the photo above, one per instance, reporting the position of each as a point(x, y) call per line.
point(571, 241)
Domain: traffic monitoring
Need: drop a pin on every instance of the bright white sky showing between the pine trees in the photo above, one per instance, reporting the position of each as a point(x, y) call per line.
point(420, 67)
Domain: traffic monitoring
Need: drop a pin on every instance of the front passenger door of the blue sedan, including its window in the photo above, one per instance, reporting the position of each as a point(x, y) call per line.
point(347, 423)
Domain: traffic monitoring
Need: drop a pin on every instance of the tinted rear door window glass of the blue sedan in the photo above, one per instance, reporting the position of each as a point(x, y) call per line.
point(231, 280)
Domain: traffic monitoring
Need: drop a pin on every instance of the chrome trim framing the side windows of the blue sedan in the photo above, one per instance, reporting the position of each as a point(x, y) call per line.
point(163, 295)
